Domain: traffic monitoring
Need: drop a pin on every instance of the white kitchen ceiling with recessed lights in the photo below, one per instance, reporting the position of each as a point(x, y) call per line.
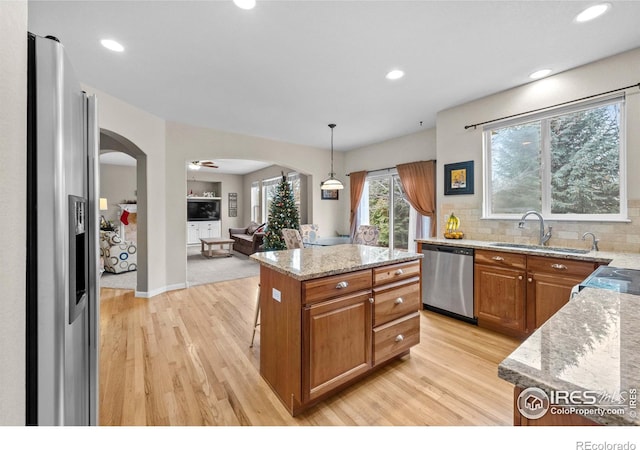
point(286, 69)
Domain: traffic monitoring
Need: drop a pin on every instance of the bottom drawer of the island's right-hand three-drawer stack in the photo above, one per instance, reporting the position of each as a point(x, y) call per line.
point(395, 337)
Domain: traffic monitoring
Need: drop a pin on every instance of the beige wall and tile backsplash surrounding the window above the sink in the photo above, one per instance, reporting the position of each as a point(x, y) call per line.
point(456, 144)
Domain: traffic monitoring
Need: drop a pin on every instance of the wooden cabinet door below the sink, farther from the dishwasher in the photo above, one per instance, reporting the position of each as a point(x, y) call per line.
point(546, 294)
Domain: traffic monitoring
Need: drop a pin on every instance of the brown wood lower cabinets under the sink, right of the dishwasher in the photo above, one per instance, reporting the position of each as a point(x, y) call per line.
point(515, 294)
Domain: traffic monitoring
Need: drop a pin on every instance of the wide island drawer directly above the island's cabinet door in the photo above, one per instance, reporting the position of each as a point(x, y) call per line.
point(325, 288)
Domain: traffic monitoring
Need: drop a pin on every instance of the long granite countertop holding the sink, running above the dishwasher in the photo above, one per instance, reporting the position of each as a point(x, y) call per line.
point(614, 259)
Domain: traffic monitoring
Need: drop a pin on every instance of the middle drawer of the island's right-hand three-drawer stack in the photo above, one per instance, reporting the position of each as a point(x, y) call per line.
point(395, 300)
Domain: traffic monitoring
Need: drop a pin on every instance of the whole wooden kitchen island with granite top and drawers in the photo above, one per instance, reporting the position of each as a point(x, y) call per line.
point(331, 315)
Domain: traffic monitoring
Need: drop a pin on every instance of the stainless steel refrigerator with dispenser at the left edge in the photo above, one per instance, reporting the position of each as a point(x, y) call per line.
point(62, 327)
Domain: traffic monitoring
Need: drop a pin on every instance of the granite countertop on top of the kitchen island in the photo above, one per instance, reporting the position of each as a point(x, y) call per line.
point(315, 262)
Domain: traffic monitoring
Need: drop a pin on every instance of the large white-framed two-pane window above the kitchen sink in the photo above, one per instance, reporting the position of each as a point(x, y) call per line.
point(568, 163)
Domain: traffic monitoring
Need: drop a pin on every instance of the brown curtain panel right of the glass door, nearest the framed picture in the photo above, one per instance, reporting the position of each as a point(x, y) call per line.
point(418, 182)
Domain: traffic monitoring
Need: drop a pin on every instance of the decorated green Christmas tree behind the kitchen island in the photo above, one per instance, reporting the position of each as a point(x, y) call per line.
point(283, 213)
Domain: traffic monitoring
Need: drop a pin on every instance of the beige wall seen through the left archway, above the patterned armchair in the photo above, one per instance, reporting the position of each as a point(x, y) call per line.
point(117, 184)
